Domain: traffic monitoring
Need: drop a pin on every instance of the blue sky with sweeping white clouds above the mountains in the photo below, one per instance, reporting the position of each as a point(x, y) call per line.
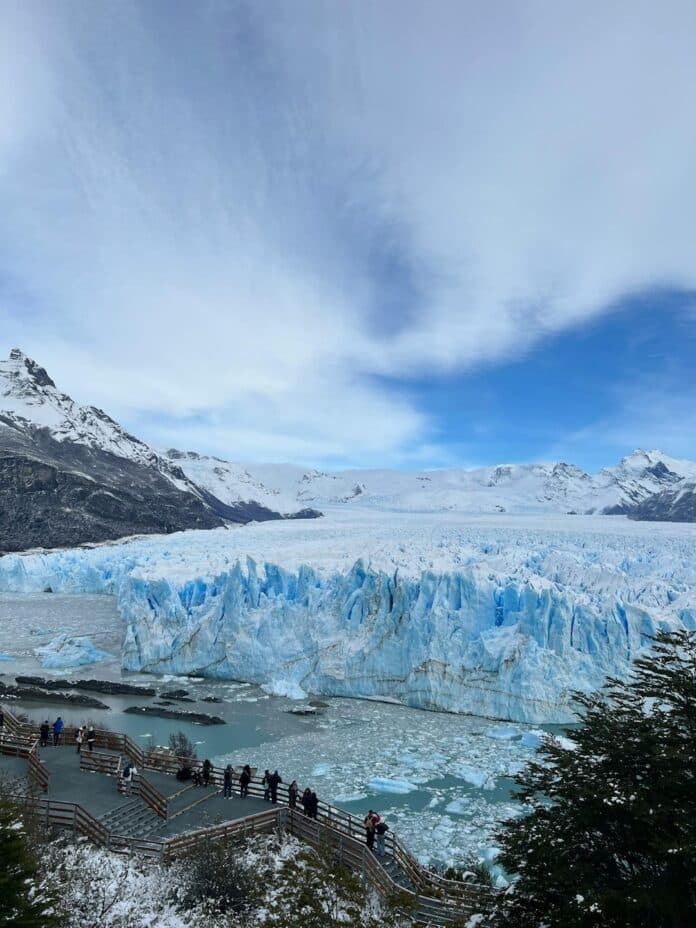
point(357, 233)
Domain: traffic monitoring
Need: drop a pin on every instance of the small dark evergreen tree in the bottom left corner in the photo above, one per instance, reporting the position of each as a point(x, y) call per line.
point(24, 903)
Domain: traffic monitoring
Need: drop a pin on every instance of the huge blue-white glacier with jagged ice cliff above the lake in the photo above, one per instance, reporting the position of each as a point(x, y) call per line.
point(495, 616)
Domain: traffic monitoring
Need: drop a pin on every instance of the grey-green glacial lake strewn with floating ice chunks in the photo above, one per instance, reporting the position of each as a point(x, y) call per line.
point(442, 781)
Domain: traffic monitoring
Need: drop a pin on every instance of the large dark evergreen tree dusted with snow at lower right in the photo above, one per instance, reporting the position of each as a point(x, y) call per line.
point(610, 838)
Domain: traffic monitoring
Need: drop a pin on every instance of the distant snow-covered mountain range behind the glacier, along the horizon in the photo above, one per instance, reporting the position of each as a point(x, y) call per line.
point(515, 488)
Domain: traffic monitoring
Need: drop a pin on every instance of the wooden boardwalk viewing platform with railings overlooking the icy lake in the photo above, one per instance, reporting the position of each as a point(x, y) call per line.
point(163, 817)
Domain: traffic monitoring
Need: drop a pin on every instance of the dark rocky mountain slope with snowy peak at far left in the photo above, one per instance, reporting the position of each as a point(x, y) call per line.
point(70, 474)
